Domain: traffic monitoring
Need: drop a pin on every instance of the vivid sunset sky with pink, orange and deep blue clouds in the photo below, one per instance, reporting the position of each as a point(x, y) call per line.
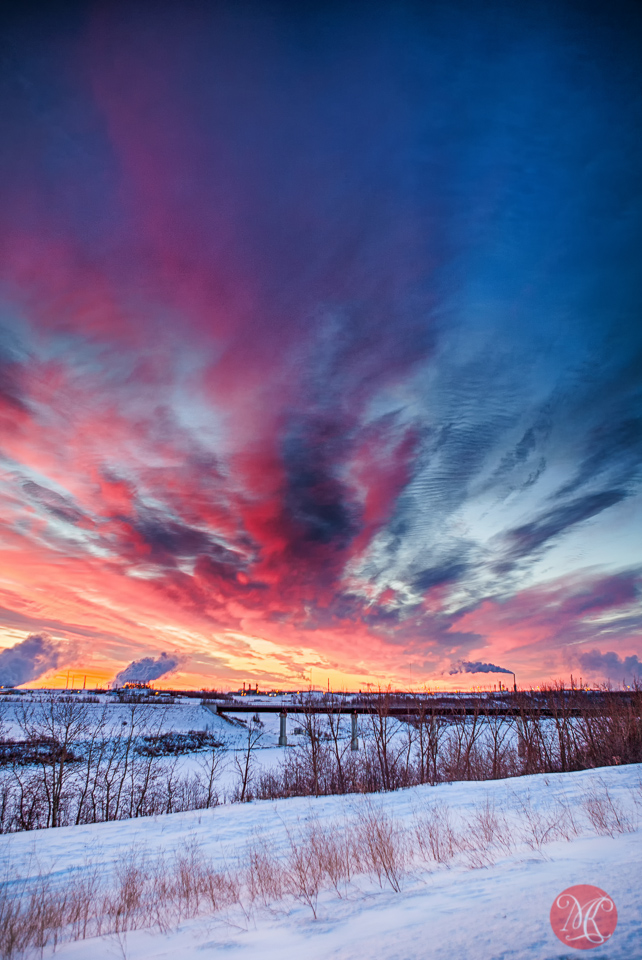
point(320, 343)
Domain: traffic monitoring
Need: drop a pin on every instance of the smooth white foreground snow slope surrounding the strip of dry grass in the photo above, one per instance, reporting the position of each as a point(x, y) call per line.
point(455, 910)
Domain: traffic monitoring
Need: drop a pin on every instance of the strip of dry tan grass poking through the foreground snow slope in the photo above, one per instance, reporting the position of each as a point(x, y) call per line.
point(160, 890)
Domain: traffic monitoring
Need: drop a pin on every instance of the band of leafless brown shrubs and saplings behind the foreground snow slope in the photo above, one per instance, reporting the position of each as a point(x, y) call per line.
point(90, 769)
